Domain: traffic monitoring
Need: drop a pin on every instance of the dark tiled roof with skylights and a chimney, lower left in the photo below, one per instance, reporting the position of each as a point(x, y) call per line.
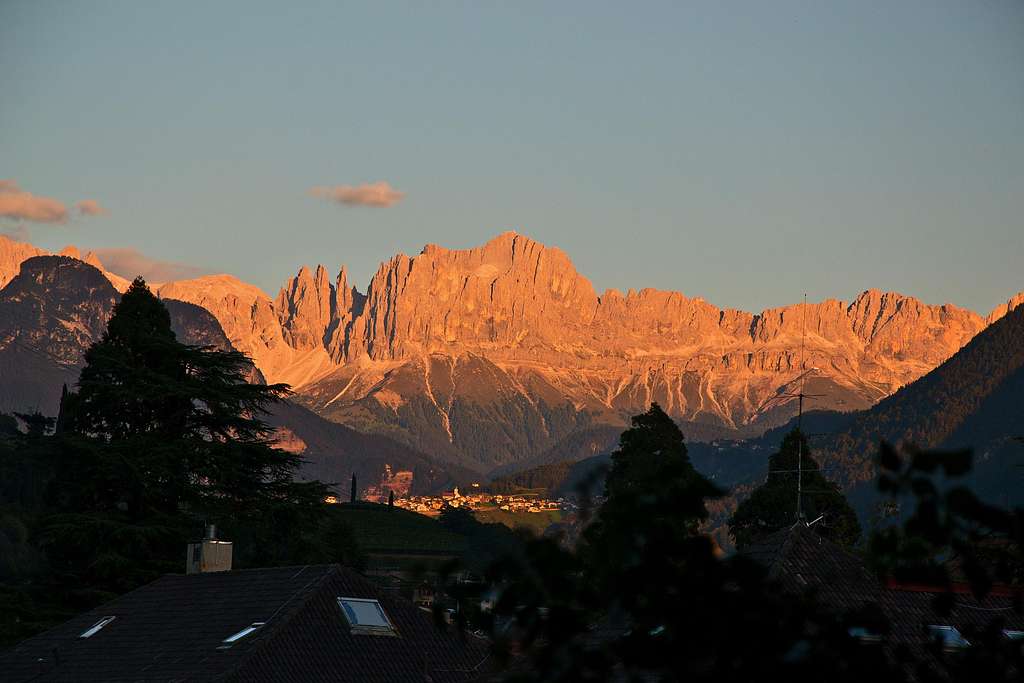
point(172, 630)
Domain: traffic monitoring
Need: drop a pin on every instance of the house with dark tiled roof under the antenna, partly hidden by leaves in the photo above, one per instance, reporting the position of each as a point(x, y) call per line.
point(804, 562)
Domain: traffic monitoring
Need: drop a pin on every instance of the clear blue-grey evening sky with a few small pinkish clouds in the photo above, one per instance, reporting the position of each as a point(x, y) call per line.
point(746, 153)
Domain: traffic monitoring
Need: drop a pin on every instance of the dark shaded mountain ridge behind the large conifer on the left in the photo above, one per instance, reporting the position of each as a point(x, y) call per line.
point(57, 307)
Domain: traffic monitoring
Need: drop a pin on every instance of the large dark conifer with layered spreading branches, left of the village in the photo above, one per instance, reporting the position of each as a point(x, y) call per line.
point(160, 438)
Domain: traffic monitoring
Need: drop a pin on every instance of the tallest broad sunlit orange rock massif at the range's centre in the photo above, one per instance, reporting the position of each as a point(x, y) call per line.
point(491, 297)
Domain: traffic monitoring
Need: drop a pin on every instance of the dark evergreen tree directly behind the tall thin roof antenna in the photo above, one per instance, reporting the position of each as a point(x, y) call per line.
point(774, 505)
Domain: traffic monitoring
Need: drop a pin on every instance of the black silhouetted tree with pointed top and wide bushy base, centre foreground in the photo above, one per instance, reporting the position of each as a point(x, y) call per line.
point(648, 596)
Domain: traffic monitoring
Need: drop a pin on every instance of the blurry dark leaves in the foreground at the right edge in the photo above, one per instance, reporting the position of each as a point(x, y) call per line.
point(952, 536)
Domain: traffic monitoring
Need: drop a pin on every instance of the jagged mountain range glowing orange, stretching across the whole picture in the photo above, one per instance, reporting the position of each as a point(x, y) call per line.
point(490, 359)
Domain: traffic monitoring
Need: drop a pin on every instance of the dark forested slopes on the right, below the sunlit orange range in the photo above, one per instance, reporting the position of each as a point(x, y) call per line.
point(975, 400)
